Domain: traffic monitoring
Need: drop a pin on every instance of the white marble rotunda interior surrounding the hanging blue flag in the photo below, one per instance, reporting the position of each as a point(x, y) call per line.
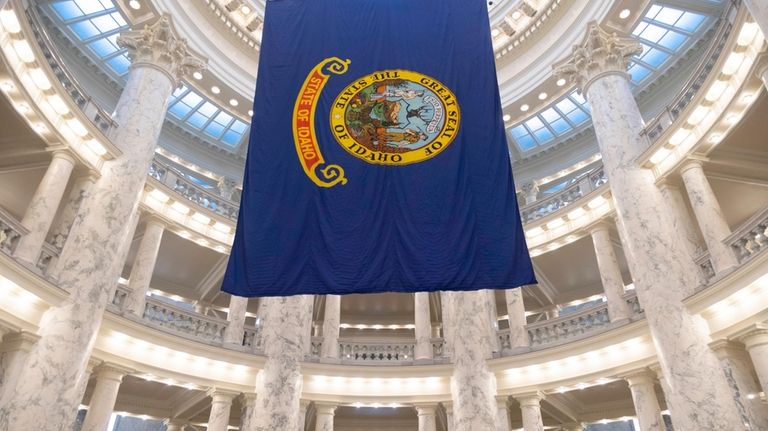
point(651, 308)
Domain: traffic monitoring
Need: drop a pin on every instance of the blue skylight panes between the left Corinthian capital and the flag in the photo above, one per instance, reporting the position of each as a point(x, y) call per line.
point(198, 113)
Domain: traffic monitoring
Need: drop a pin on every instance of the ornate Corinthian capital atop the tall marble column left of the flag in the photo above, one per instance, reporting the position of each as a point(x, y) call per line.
point(159, 45)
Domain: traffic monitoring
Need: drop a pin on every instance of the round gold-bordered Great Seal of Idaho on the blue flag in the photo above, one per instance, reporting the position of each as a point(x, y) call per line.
point(395, 117)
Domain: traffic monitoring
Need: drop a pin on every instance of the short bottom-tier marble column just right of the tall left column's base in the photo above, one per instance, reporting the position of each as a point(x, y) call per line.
point(108, 380)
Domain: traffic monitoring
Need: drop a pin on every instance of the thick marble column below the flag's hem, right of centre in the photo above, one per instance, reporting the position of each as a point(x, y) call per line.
point(473, 385)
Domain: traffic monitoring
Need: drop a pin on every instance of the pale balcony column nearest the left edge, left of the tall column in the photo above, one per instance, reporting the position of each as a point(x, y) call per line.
point(43, 207)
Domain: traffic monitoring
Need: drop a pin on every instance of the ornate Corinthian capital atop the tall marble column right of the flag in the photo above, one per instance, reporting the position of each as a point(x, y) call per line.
point(601, 53)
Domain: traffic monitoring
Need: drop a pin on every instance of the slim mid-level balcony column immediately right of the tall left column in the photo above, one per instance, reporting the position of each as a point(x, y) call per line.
point(143, 267)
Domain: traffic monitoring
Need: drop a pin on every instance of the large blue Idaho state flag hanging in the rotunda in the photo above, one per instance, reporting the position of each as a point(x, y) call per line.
point(378, 158)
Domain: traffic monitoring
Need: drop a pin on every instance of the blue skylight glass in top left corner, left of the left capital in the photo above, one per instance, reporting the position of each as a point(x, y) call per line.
point(96, 23)
